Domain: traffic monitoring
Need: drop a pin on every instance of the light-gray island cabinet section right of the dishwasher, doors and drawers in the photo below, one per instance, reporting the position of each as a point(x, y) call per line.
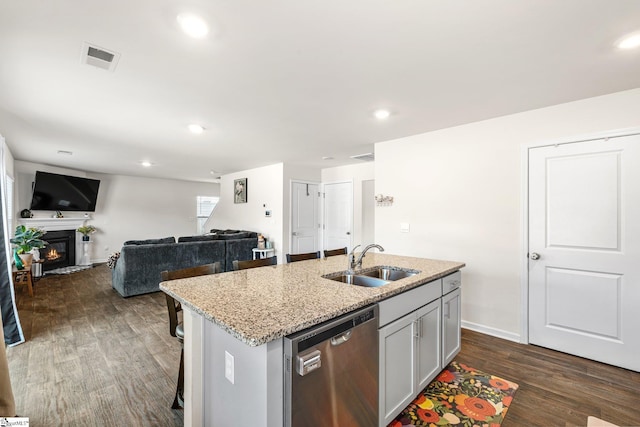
point(419, 334)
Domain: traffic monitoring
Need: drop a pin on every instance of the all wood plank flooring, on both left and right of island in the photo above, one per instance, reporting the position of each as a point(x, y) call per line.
point(93, 358)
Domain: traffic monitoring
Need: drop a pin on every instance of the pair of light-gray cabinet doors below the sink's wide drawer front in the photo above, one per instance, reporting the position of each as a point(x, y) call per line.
point(410, 355)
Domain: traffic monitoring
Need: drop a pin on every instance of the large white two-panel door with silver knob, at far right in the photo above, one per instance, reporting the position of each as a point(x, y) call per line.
point(584, 249)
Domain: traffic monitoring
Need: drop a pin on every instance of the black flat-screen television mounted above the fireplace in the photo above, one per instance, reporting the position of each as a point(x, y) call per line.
point(54, 192)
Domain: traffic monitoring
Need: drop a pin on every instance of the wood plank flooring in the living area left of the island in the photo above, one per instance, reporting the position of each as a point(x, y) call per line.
point(93, 358)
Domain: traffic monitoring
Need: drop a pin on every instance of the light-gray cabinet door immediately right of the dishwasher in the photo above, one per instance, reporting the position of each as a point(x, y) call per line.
point(397, 367)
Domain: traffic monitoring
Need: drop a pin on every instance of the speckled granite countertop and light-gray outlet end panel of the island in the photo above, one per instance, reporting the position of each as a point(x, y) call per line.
point(235, 323)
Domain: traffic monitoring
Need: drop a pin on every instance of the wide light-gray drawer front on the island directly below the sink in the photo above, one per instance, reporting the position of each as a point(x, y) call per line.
point(399, 305)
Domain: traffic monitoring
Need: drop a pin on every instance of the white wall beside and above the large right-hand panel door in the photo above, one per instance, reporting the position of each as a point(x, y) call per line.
point(460, 191)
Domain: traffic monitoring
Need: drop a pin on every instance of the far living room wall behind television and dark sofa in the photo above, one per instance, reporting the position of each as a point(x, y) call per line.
point(128, 207)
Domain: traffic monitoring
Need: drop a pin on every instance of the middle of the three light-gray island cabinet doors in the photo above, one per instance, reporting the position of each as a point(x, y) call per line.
point(428, 350)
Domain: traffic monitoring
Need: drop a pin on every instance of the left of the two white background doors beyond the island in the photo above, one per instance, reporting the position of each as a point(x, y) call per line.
point(305, 222)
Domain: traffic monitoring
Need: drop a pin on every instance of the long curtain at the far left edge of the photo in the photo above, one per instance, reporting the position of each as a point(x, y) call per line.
point(11, 323)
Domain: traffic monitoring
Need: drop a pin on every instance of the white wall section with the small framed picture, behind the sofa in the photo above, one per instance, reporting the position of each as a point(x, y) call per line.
point(264, 192)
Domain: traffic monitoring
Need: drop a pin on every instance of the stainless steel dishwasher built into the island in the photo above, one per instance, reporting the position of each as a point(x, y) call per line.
point(331, 372)
